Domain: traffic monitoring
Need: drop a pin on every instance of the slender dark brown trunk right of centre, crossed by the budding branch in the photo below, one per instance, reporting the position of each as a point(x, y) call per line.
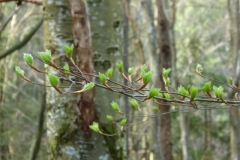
point(165, 62)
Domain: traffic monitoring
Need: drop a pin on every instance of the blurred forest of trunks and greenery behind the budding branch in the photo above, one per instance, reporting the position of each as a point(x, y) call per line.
point(136, 32)
